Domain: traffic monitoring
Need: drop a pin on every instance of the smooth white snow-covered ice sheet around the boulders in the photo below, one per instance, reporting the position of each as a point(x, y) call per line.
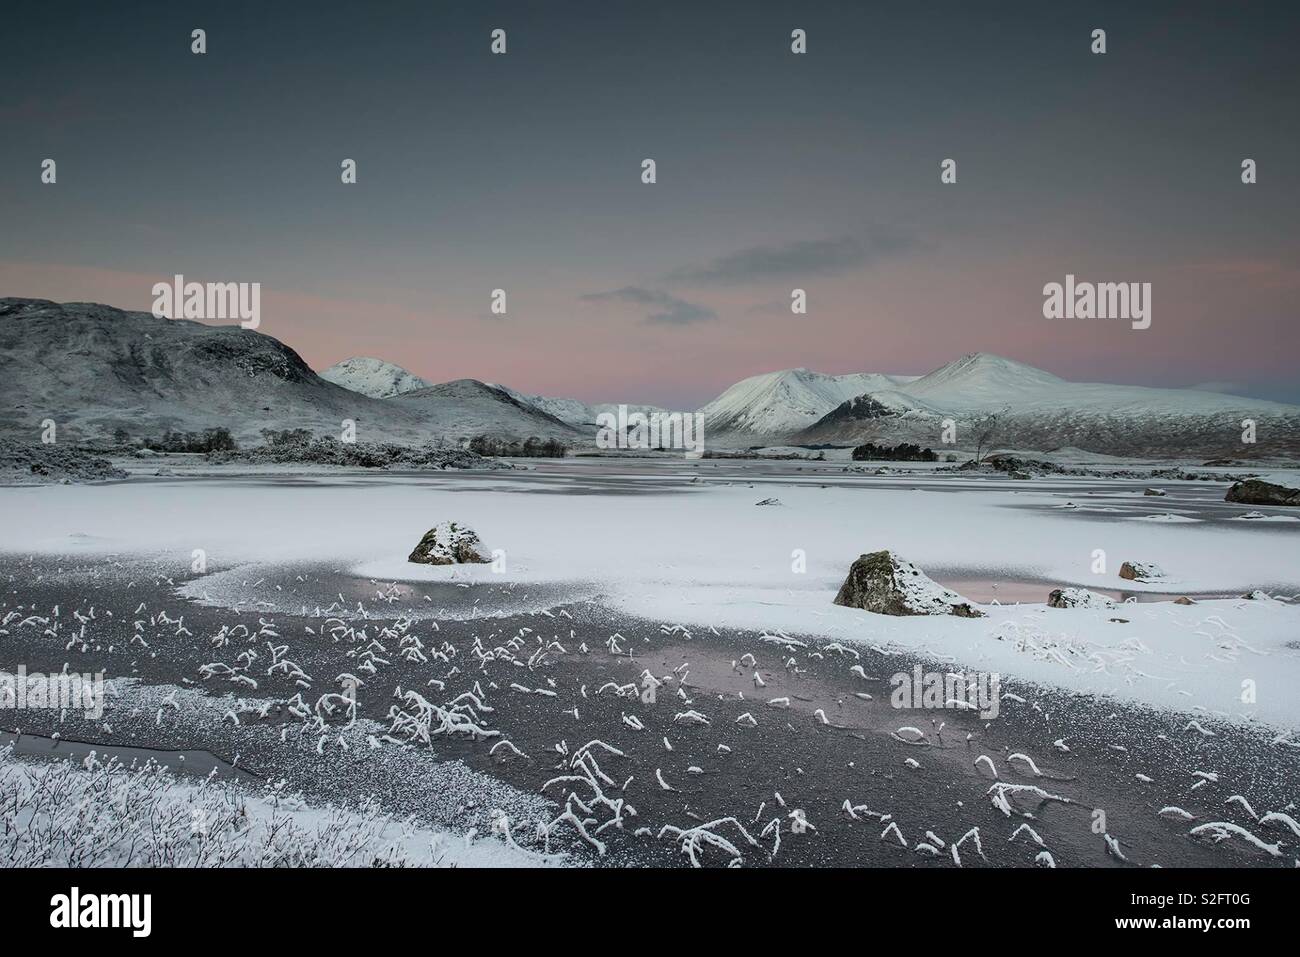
point(701, 553)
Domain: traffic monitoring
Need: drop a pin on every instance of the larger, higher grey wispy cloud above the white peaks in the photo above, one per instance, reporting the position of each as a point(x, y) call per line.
point(801, 258)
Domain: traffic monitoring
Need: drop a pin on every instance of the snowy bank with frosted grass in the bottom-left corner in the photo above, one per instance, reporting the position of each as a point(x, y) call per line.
point(109, 815)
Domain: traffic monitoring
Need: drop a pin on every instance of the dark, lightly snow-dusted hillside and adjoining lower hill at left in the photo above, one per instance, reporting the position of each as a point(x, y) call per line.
point(96, 370)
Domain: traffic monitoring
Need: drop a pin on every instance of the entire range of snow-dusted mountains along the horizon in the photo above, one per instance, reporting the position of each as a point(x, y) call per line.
point(96, 371)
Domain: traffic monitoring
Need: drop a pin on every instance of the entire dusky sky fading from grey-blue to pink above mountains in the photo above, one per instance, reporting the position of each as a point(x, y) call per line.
point(821, 171)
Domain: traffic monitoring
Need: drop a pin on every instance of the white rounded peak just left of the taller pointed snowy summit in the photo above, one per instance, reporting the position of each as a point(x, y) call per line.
point(783, 402)
